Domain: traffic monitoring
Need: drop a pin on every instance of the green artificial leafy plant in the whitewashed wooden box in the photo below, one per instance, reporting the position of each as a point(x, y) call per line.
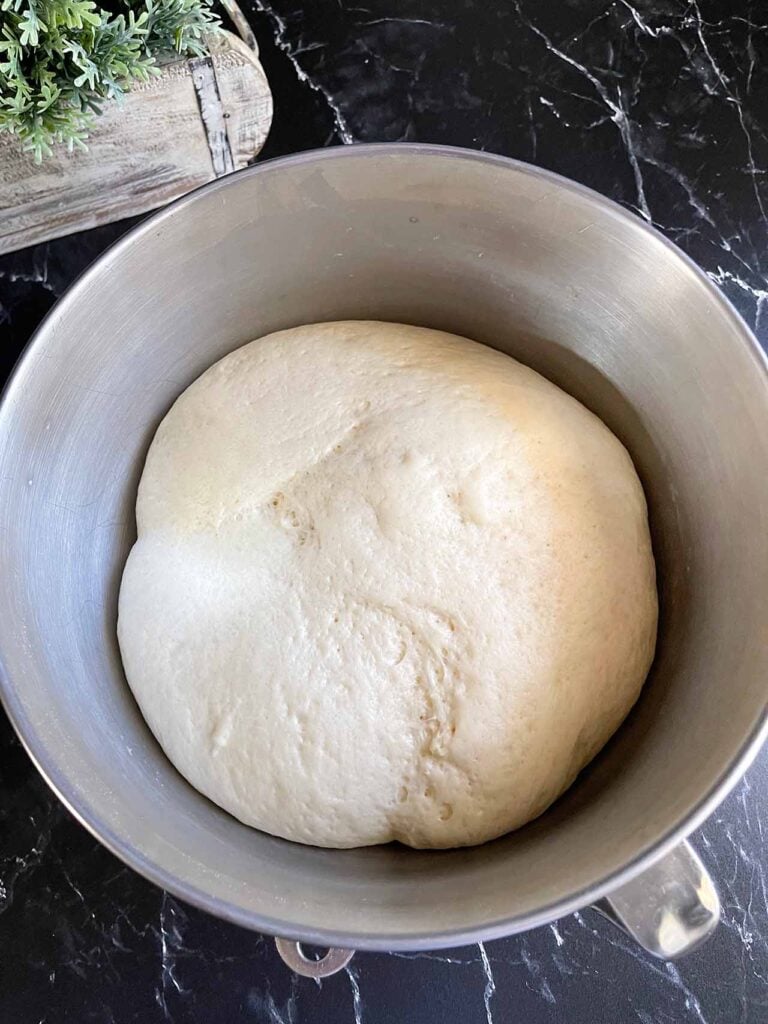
point(60, 60)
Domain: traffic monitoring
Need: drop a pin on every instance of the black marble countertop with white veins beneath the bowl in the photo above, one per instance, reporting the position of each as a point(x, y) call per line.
point(662, 105)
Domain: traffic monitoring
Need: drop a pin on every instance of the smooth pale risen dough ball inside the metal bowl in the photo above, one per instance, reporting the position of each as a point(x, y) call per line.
point(389, 585)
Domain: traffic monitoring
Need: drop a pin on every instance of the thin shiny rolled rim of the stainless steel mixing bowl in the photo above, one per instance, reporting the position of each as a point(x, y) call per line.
point(155, 873)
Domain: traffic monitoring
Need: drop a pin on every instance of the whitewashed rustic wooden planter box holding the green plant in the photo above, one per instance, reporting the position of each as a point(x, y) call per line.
point(199, 119)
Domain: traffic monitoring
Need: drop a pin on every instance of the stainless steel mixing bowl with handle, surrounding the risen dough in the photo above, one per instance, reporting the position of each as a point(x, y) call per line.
point(501, 252)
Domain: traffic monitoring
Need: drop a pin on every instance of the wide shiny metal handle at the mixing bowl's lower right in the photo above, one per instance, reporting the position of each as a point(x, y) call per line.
point(671, 909)
